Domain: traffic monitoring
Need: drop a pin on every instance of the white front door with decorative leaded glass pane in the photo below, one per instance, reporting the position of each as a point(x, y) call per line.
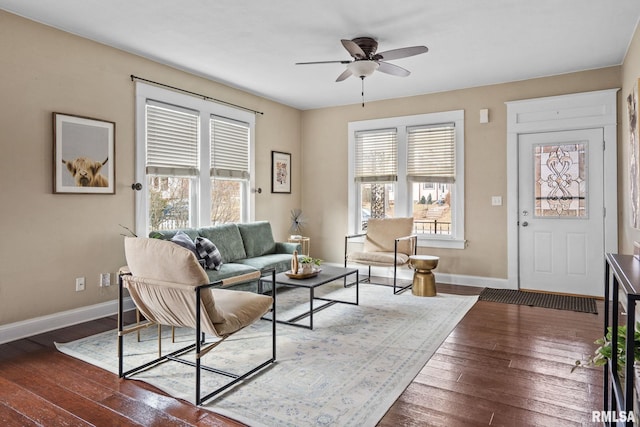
point(561, 211)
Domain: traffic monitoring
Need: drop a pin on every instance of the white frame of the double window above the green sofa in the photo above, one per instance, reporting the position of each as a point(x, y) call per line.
point(201, 193)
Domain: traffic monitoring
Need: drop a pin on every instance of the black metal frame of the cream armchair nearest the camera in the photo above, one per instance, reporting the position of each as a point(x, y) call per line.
point(200, 346)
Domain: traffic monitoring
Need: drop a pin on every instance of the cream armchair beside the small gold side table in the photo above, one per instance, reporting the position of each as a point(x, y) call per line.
point(388, 242)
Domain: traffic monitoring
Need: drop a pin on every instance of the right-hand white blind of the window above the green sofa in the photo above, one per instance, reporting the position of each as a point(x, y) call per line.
point(229, 148)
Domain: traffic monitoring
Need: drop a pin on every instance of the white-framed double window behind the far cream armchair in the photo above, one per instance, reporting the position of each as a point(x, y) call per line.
point(410, 166)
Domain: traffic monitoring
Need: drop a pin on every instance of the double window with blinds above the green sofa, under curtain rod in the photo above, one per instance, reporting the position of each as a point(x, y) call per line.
point(195, 157)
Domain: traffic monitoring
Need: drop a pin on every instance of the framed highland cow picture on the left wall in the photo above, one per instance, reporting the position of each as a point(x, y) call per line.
point(83, 155)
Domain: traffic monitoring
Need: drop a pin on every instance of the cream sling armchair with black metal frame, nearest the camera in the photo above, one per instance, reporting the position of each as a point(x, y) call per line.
point(169, 287)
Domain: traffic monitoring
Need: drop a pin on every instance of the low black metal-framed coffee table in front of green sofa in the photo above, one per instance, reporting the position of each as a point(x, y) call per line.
point(326, 275)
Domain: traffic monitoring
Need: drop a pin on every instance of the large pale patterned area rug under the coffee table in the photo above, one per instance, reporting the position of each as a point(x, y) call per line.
point(347, 371)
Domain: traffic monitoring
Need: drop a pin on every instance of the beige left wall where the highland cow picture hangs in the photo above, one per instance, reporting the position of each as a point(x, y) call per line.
point(50, 239)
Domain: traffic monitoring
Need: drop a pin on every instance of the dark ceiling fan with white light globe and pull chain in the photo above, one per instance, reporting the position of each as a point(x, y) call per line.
point(366, 61)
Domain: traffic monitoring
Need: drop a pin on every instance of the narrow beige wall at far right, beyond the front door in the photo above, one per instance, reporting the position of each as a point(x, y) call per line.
point(630, 76)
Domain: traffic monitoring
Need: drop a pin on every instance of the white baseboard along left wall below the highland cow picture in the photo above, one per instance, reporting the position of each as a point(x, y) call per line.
point(39, 325)
